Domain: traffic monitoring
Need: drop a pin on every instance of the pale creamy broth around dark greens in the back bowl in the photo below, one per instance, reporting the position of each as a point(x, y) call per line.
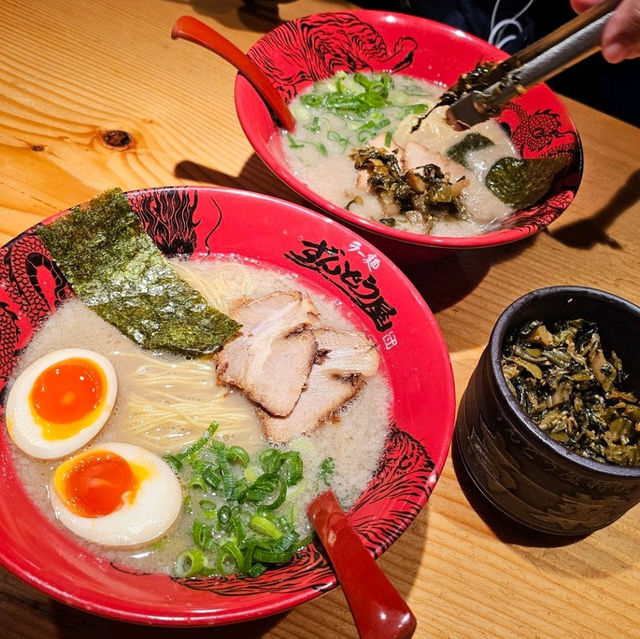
point(318, 151)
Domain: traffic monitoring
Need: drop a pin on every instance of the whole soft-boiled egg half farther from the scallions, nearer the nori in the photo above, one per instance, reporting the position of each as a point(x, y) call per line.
point(60, 402)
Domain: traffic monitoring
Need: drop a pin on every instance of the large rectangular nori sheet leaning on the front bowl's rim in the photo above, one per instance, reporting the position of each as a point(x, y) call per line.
point(117, 270)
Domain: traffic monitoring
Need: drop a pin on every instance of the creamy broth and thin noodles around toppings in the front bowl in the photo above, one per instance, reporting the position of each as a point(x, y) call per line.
point(155, 391)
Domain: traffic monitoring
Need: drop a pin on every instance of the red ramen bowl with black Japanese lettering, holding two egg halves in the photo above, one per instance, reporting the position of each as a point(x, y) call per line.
point(327, 257)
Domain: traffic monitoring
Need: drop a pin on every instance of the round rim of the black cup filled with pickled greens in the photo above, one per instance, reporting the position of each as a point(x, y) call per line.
point(509, 402)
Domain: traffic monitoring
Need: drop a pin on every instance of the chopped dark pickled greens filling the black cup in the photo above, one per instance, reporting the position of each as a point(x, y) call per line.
point(563, 380)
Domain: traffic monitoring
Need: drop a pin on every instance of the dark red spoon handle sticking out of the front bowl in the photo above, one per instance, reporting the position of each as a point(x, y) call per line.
point(377, 608)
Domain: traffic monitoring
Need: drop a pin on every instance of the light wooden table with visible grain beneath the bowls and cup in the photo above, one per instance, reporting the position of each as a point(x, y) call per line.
point(73, 70)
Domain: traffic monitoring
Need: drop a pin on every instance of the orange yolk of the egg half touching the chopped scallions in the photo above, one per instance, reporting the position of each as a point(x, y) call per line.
point(97, 482)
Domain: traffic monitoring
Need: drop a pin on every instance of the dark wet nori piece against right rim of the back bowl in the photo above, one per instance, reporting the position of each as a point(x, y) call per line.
point(521, 183)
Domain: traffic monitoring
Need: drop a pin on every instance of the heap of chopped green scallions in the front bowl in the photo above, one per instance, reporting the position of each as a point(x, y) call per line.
point(243, 521)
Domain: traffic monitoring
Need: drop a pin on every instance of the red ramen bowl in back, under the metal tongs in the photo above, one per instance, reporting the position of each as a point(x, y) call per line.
point(303, 51)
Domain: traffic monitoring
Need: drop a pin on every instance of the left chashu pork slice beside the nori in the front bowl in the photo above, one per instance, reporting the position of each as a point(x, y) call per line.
point(271, 358)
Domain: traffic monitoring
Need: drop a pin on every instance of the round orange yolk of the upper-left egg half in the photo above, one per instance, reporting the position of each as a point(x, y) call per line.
point(66, 396)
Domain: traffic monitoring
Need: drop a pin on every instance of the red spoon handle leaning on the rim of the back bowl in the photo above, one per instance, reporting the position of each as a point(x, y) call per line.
point(190, 28)
